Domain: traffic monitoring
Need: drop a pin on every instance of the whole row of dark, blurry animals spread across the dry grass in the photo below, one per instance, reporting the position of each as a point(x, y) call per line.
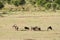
point(36, 28)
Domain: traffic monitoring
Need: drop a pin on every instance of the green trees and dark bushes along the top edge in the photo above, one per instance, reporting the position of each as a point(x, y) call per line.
point(48, 4)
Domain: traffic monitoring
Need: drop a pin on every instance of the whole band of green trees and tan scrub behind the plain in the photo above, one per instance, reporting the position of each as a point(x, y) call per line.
point(26, 5)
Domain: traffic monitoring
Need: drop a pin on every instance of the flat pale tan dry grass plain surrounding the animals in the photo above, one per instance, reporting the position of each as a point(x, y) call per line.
point(30, 19)
